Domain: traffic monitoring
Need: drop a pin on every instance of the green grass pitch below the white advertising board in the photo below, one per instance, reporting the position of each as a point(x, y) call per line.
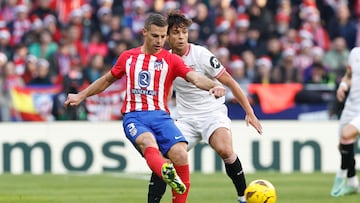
point(132, 188)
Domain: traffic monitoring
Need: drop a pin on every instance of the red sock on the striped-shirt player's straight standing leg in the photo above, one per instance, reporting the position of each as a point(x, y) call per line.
point(184, 173)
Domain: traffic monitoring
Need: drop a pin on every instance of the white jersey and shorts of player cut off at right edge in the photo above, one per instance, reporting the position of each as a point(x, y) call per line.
point(351, 111)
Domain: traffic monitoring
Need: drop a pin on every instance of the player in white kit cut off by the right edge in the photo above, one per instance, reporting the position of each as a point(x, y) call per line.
point(346, 181)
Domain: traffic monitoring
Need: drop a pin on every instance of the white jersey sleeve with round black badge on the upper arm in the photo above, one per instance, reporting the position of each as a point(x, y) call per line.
point(210, 64)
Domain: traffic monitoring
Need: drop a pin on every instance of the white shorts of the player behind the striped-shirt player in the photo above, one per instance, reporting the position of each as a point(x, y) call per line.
point(200, 127)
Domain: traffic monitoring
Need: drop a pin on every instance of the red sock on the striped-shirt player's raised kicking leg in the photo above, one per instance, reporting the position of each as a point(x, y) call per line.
point(154, 160)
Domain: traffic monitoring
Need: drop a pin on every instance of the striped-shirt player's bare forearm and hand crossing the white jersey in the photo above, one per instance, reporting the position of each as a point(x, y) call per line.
point(205, 83)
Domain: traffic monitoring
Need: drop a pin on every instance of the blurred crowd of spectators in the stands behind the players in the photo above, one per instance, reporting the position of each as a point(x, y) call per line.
point(73, 42)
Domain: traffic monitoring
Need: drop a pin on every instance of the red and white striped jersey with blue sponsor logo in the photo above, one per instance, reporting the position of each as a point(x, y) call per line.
point(148, 78)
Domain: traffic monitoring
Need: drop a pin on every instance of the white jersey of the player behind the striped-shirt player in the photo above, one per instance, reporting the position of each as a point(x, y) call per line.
point(191, 100)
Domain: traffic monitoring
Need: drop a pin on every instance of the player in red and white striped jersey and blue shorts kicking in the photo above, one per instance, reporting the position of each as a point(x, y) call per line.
point(150, 71)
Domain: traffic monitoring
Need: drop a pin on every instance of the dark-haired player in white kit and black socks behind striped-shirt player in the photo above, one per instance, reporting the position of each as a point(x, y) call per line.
point(202, 117)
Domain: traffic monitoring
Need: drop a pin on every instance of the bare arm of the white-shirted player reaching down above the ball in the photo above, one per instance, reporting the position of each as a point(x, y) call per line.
point(250, 118)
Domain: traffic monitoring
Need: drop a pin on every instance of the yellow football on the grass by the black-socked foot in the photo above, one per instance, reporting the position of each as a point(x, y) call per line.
point(260, 191)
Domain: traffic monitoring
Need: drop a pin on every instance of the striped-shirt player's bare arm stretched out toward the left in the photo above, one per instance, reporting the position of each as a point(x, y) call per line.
point(94, 88)
